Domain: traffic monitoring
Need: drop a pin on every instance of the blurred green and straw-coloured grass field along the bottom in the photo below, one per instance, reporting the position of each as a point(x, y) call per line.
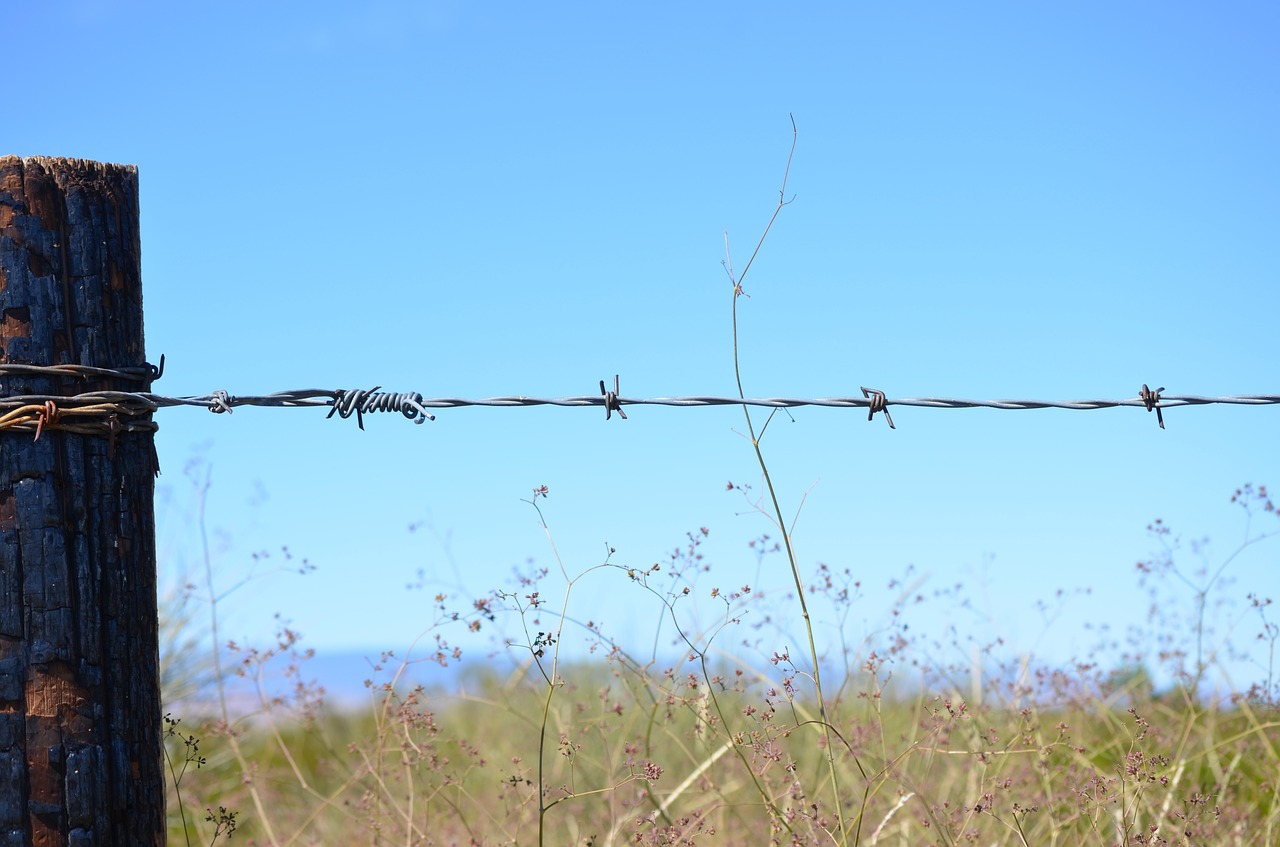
point(616, 754)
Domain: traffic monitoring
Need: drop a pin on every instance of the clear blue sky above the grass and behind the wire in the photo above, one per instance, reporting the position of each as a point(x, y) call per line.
point(469, 200)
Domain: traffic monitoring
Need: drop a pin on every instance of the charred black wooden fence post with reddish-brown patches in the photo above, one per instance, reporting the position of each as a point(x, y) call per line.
point(80, 697)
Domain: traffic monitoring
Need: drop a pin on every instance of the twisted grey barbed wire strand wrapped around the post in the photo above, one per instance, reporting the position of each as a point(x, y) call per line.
point(112, 413)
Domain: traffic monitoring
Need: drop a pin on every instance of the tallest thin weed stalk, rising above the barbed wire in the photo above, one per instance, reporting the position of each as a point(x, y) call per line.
point(737, 281)
